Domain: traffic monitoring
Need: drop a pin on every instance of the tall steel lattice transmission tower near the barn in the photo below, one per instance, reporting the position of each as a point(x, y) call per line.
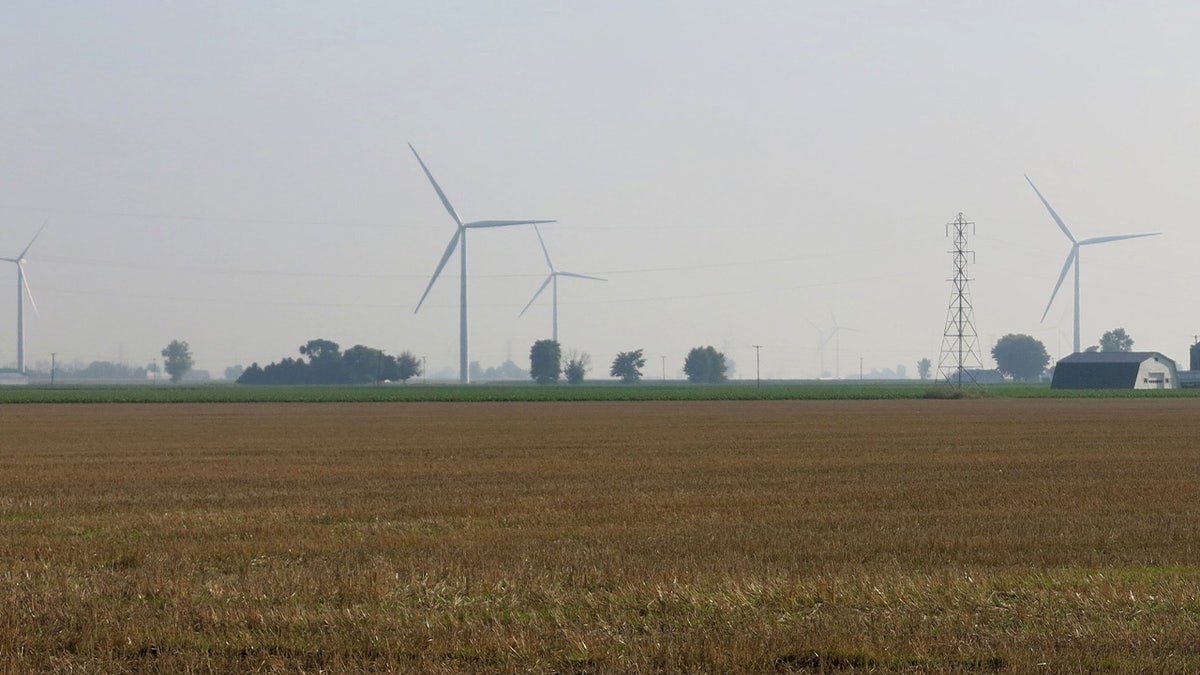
point(961, 342)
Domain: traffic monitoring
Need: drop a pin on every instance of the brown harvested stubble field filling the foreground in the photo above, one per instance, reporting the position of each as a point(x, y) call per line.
point(601, 537)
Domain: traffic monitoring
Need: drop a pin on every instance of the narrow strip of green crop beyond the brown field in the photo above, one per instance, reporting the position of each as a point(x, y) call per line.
point(530, 392)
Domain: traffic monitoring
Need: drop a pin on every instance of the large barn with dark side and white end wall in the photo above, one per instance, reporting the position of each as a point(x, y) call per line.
point(1115, 371)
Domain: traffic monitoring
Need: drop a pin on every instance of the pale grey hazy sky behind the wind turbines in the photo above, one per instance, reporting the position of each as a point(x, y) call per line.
point(237, 175)
